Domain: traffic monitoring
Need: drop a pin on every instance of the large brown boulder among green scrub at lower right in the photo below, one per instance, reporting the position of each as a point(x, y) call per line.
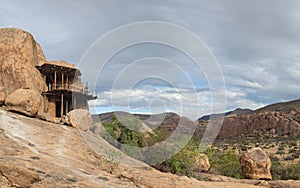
point(256, 164)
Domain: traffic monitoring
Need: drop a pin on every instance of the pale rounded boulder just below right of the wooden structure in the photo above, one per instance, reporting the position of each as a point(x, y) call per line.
point(80, 119)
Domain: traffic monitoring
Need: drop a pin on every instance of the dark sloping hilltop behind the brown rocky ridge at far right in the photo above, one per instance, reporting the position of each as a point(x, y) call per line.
point(284, 107)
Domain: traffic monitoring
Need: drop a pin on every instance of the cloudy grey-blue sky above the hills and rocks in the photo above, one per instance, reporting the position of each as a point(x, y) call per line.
point(256, 45)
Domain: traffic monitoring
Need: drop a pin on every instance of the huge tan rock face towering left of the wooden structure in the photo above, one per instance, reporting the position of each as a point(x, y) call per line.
point(19, 56)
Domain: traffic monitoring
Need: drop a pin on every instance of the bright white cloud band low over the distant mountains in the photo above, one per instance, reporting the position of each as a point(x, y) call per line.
point(158, 100)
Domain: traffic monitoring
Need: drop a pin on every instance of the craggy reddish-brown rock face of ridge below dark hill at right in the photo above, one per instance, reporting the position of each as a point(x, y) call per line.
point(266, 123)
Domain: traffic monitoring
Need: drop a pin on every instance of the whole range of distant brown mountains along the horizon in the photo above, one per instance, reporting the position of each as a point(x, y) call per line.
point(276, 119)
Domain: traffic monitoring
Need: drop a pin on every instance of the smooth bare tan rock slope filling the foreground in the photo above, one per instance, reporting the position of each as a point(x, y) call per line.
point(36, 153)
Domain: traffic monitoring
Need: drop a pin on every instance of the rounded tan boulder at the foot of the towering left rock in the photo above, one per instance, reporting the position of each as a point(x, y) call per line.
point(25, 101)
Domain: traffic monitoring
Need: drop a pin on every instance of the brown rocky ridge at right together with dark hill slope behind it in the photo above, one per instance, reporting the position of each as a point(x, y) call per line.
point(277, 119)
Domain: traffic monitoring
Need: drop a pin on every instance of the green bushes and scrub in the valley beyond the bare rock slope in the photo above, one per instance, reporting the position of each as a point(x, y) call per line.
point(223, 157)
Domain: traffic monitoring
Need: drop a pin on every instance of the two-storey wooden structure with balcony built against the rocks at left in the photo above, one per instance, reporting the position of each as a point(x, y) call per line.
point(64, 91)
